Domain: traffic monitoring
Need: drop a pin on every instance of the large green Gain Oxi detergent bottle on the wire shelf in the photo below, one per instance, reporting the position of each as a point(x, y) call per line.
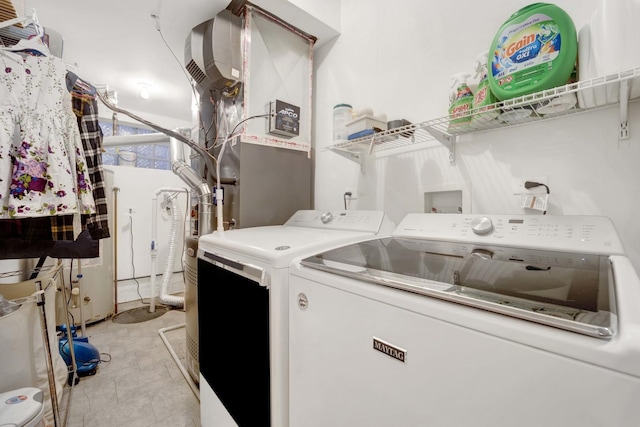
point(534, 50)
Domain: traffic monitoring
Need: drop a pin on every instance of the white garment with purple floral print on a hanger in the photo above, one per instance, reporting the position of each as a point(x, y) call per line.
point(43, 171)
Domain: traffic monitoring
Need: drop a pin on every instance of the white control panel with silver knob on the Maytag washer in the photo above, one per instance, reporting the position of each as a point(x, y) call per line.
point(585, 233)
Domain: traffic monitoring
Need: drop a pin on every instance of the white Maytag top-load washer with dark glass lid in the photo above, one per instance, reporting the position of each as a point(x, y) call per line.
point(457, 320)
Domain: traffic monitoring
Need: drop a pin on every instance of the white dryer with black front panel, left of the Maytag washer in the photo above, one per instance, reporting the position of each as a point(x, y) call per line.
point(243, 310)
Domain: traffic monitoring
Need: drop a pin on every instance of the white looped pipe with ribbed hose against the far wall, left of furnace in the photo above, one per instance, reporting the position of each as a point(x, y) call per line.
point(168, 299)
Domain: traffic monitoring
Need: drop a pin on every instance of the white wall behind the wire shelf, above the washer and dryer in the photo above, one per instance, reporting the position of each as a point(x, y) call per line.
point(397, 57)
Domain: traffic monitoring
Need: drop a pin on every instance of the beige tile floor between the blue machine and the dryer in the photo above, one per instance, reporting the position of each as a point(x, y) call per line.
point(138, 382)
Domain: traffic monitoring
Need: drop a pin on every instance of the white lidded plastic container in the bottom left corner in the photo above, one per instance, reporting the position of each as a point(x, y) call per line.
point(23, 407)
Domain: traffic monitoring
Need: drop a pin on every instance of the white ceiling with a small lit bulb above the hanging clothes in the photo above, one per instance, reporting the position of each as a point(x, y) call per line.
point(116, 43)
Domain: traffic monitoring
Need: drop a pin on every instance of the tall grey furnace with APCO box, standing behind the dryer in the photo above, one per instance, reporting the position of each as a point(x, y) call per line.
point(252, 77)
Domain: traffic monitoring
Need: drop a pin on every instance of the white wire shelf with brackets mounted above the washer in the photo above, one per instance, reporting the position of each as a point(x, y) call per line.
point(573, 98)
